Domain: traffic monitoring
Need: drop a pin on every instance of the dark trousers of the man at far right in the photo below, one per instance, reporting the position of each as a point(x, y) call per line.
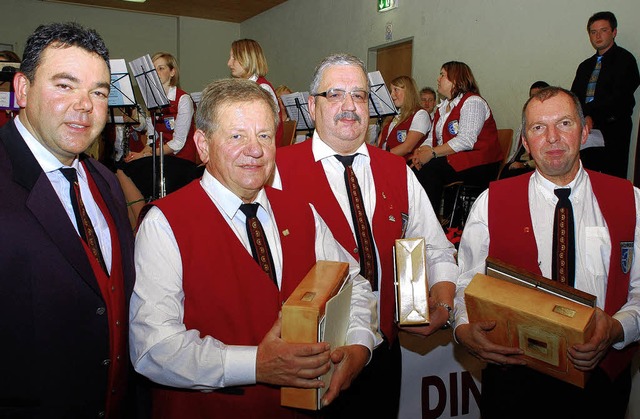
point(521, 392)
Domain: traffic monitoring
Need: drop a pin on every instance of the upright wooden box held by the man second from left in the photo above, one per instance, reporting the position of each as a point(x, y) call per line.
point(302, 317)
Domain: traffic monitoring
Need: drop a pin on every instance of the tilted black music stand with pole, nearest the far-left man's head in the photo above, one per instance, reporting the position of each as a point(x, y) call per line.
point(155, 99)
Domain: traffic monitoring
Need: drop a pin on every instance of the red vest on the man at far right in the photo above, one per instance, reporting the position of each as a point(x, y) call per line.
point(510, 222)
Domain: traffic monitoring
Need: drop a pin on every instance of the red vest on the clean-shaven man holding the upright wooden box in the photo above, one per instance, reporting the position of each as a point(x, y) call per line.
point(228, 296)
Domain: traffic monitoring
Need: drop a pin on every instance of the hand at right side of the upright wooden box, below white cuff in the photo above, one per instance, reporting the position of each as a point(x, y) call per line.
point(347, 362)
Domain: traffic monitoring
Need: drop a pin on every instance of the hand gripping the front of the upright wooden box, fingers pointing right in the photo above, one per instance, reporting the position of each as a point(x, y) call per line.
point(291, 364)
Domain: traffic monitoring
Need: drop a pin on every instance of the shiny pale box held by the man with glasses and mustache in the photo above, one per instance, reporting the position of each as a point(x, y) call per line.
point(412, 289)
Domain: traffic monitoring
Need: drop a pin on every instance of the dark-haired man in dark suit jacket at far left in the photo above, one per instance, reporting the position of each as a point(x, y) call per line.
point(66, 274)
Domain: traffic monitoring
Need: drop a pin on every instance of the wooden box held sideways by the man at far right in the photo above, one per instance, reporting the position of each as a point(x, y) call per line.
point(543, 324)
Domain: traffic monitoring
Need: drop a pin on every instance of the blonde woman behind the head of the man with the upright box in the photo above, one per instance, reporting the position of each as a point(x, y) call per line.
point(247, 61)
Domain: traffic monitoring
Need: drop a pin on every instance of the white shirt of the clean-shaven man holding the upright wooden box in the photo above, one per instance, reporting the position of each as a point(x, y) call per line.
point(163, 349)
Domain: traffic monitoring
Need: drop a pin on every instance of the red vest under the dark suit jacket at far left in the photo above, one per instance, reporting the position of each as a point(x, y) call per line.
point(113, 293)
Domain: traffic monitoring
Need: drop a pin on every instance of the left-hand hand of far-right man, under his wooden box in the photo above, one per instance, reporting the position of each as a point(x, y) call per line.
point(474, 337)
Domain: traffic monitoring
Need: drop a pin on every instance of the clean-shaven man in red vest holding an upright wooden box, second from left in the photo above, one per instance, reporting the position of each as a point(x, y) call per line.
point(204, 315)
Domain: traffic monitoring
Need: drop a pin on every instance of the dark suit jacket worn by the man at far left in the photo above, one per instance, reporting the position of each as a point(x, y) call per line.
point(53, 321)
